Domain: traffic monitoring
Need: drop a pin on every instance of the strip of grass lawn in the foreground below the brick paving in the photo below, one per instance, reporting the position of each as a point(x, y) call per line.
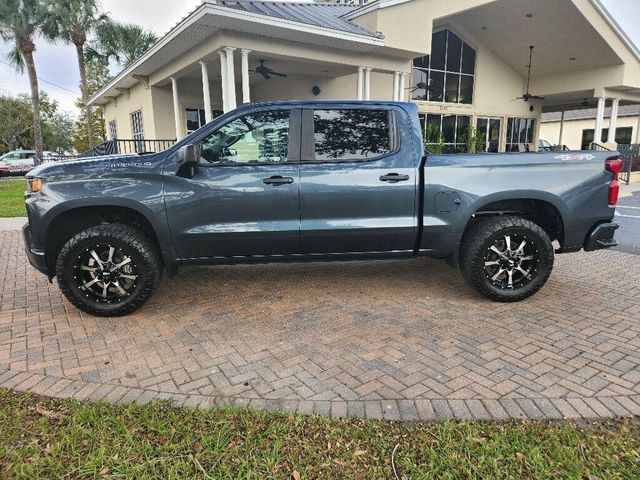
point(55, 439)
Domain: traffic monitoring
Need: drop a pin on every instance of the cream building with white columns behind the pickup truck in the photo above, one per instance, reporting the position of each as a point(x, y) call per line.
point(465, 63)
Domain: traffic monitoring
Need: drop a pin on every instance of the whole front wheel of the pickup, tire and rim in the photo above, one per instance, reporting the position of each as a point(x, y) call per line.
point(109, 270)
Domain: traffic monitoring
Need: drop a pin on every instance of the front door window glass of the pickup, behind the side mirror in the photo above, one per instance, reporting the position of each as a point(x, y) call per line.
point(261, 137)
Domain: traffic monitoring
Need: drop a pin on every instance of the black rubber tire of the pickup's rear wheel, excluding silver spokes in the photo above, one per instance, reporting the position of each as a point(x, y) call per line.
point(478, 241)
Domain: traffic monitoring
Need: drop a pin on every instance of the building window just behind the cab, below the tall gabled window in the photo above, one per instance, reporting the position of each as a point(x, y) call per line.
point(446, 132)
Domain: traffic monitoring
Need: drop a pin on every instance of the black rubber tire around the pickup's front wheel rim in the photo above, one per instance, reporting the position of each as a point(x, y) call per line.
point(127, 239)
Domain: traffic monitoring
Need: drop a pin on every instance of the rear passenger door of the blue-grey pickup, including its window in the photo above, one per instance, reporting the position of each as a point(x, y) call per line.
point(358, 179)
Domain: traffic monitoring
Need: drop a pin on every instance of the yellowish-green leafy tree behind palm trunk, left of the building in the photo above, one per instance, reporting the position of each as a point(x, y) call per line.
point(97, 77)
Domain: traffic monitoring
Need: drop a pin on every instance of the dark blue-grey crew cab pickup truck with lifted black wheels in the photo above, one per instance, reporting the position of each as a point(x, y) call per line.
point(299, 181)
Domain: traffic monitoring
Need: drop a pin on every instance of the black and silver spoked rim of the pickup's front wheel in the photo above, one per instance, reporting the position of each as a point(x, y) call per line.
point(106, 274)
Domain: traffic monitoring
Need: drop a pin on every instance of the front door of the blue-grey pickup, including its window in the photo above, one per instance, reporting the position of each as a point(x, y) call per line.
point(243, 199)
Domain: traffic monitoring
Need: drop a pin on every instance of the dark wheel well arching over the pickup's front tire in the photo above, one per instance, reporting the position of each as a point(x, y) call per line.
point(71, 222)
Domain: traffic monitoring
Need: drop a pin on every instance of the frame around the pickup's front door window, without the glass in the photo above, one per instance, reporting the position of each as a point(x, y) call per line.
point(293, 154)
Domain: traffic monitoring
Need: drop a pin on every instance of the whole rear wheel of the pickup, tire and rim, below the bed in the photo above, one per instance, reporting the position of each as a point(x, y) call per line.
point(506, 259)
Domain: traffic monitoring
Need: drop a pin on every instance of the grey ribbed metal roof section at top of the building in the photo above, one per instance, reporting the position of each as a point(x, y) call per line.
point(325, 15)
